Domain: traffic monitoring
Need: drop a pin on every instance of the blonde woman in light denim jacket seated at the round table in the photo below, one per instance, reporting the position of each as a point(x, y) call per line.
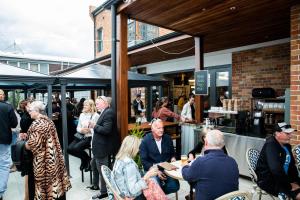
point(126, 172)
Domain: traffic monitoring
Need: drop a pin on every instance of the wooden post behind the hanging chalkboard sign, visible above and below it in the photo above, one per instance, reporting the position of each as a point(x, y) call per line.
point(199, 65)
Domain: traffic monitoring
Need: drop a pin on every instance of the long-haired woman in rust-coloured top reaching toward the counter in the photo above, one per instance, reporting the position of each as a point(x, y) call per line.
point(162, 112)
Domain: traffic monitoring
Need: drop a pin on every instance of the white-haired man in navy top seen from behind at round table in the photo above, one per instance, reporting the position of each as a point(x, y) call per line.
point(215, 173)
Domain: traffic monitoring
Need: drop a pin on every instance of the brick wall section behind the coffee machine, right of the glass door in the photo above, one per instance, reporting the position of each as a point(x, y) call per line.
point(261, 67)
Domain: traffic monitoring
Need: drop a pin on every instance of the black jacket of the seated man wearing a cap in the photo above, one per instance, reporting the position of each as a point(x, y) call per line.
point(270, 173)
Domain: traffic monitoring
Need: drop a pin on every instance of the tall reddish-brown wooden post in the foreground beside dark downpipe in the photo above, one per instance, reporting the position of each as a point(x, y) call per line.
point(122, 76)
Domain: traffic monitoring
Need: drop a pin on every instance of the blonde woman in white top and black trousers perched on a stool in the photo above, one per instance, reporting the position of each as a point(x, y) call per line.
point(76, 148)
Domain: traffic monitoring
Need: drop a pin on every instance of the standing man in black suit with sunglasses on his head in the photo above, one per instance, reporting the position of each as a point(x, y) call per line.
point(104, 141)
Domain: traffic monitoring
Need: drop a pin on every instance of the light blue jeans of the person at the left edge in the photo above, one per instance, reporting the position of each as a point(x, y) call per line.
point(4, 167)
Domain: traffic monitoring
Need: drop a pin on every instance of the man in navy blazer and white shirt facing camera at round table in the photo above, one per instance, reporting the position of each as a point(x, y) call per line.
point(157, 147)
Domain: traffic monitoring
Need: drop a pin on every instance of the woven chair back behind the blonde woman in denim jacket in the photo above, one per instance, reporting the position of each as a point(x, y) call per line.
point(113, 192)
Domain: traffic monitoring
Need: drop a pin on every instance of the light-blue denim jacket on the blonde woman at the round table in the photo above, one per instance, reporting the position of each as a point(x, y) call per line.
point(128, 178)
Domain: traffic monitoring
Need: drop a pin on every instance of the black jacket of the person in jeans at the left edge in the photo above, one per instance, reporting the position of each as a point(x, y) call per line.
point(8, 120)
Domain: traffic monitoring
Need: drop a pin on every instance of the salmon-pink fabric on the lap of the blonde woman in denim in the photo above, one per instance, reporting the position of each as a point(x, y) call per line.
point(154, 191)
